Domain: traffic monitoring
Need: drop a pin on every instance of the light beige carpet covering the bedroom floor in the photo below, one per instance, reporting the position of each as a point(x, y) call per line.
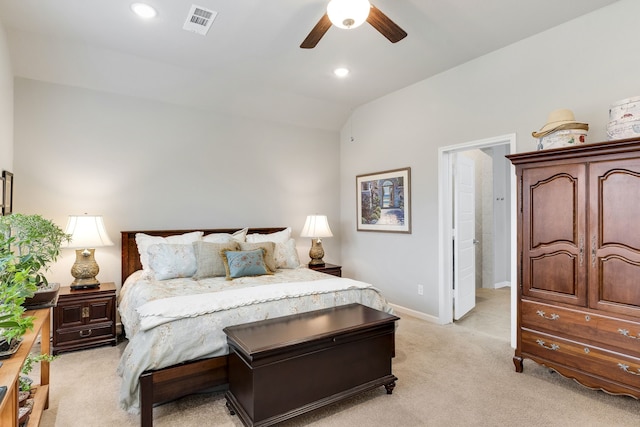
point(448, 376)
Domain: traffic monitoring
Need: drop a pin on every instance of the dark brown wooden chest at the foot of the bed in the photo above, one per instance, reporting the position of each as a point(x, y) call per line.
point(283, 367)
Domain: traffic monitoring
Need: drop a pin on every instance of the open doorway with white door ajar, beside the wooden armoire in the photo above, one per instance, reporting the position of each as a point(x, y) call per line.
point(496, 236)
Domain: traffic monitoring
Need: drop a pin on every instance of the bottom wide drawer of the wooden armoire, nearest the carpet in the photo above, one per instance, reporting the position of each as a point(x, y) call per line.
point(592, 360)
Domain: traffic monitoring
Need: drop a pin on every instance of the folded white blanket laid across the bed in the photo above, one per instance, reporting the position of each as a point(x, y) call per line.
point(165, 310)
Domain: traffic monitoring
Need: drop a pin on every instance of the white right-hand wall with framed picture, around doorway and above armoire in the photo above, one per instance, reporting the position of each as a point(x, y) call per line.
point(584, 65)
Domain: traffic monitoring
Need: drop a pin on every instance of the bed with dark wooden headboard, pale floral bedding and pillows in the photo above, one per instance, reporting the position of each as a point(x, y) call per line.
point(161, 362)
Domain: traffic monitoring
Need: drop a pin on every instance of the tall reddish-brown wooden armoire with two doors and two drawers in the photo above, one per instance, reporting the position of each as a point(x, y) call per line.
point(579, 263)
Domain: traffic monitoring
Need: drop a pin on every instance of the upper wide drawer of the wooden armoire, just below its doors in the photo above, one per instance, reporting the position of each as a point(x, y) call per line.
point(594, 328)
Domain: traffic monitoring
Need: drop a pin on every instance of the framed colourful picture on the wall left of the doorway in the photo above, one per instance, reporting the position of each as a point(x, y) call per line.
point(384, 201)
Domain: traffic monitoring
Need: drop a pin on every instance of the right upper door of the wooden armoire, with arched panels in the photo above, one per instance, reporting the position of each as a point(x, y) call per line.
point(614, 246)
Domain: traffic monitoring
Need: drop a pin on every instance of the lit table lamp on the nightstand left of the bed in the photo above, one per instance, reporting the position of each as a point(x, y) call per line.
point(87, 233)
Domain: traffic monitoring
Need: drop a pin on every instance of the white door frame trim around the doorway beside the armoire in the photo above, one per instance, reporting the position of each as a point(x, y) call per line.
point(445, 225)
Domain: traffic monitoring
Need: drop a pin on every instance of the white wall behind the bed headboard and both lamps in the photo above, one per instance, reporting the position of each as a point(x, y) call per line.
point(148, 165)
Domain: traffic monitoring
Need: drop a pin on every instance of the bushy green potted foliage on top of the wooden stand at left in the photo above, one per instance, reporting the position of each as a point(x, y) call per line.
point(28, 245)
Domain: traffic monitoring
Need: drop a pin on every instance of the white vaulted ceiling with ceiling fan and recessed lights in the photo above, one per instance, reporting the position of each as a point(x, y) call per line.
point(250, 62)
